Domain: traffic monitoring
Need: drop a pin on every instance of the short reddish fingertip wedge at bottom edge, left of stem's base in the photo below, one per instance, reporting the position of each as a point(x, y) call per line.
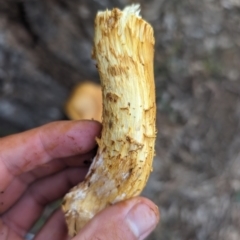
point(54, 228)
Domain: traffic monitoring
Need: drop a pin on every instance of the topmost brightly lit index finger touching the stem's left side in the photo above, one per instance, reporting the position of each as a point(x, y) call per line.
point(23, 152)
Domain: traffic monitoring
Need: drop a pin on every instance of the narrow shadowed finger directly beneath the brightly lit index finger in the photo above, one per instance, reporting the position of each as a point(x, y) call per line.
point(19, 185)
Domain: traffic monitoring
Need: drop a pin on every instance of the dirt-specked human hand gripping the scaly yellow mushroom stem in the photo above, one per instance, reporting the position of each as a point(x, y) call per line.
point(39, 166)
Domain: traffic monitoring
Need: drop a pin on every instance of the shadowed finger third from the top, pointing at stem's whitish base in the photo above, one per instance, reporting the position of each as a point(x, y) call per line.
point(31, 205)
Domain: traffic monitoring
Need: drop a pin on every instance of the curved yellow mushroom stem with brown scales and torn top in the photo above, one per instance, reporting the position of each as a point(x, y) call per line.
point(123, 48)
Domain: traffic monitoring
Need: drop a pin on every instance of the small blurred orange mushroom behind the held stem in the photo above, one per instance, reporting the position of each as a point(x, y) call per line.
point(85, 102)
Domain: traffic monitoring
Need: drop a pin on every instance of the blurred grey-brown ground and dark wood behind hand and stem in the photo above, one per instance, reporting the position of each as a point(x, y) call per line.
point(45, 49)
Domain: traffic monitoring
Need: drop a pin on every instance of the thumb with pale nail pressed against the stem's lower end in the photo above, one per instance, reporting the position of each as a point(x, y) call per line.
point(133, 219)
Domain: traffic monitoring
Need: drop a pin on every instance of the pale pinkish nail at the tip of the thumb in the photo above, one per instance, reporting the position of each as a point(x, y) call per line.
point(142, 219)
